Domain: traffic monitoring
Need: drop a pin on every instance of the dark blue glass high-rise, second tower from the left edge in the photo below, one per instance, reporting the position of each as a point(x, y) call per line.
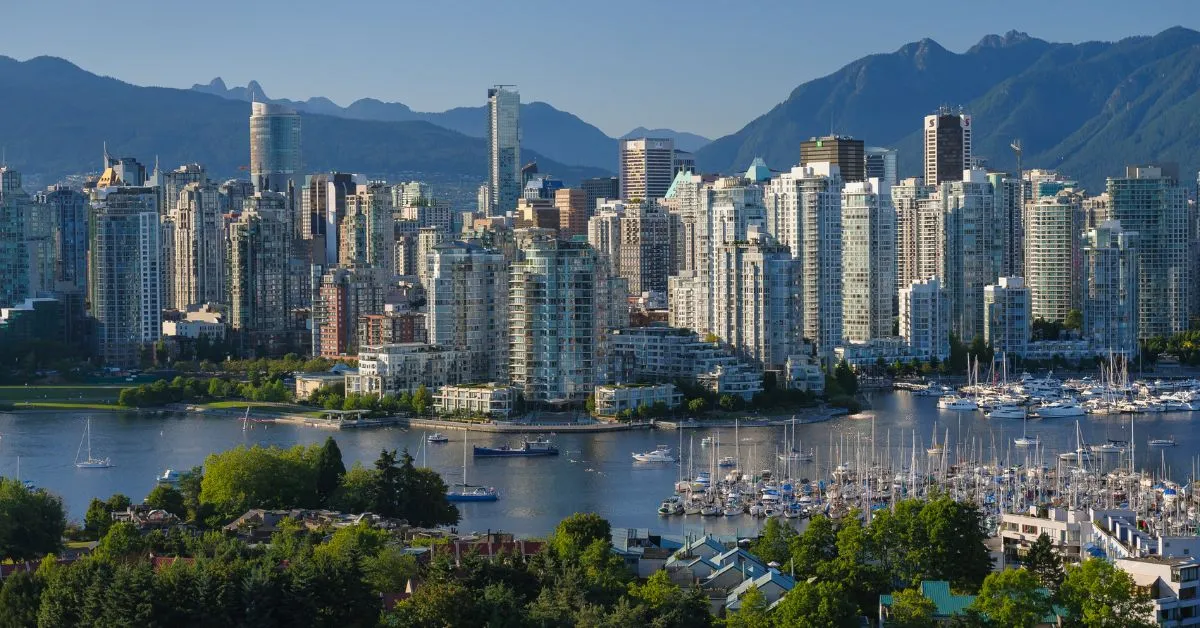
point(69, 214)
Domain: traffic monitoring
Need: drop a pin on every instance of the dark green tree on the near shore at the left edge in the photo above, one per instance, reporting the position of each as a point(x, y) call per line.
point(32, 523)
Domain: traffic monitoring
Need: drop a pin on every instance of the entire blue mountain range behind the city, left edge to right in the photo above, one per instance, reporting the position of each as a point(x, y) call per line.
point(1083, 109)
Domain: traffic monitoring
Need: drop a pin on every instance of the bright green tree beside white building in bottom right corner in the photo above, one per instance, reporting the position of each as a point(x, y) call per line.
point(1099, 594)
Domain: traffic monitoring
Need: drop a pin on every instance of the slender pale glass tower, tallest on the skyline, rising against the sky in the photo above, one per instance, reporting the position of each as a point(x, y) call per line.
point(503, 149)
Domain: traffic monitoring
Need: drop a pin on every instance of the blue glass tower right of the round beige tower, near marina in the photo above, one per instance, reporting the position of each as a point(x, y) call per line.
point(1111, 296)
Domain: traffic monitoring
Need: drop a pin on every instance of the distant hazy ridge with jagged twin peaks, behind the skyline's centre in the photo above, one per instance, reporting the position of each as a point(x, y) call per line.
point(555, 134)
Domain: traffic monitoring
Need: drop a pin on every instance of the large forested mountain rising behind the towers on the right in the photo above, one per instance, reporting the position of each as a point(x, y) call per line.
point(1085, 110)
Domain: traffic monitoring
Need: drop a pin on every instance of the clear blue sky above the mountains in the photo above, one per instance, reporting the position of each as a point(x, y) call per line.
point(706, 67)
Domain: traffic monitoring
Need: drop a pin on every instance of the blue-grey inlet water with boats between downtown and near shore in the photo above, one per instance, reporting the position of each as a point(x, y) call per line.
point(595, 473)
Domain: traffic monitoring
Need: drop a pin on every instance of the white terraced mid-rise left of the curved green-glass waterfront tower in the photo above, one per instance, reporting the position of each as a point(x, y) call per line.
point(398, 369)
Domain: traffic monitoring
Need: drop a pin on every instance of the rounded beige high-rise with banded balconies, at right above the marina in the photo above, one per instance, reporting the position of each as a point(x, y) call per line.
point(1053, 259)
